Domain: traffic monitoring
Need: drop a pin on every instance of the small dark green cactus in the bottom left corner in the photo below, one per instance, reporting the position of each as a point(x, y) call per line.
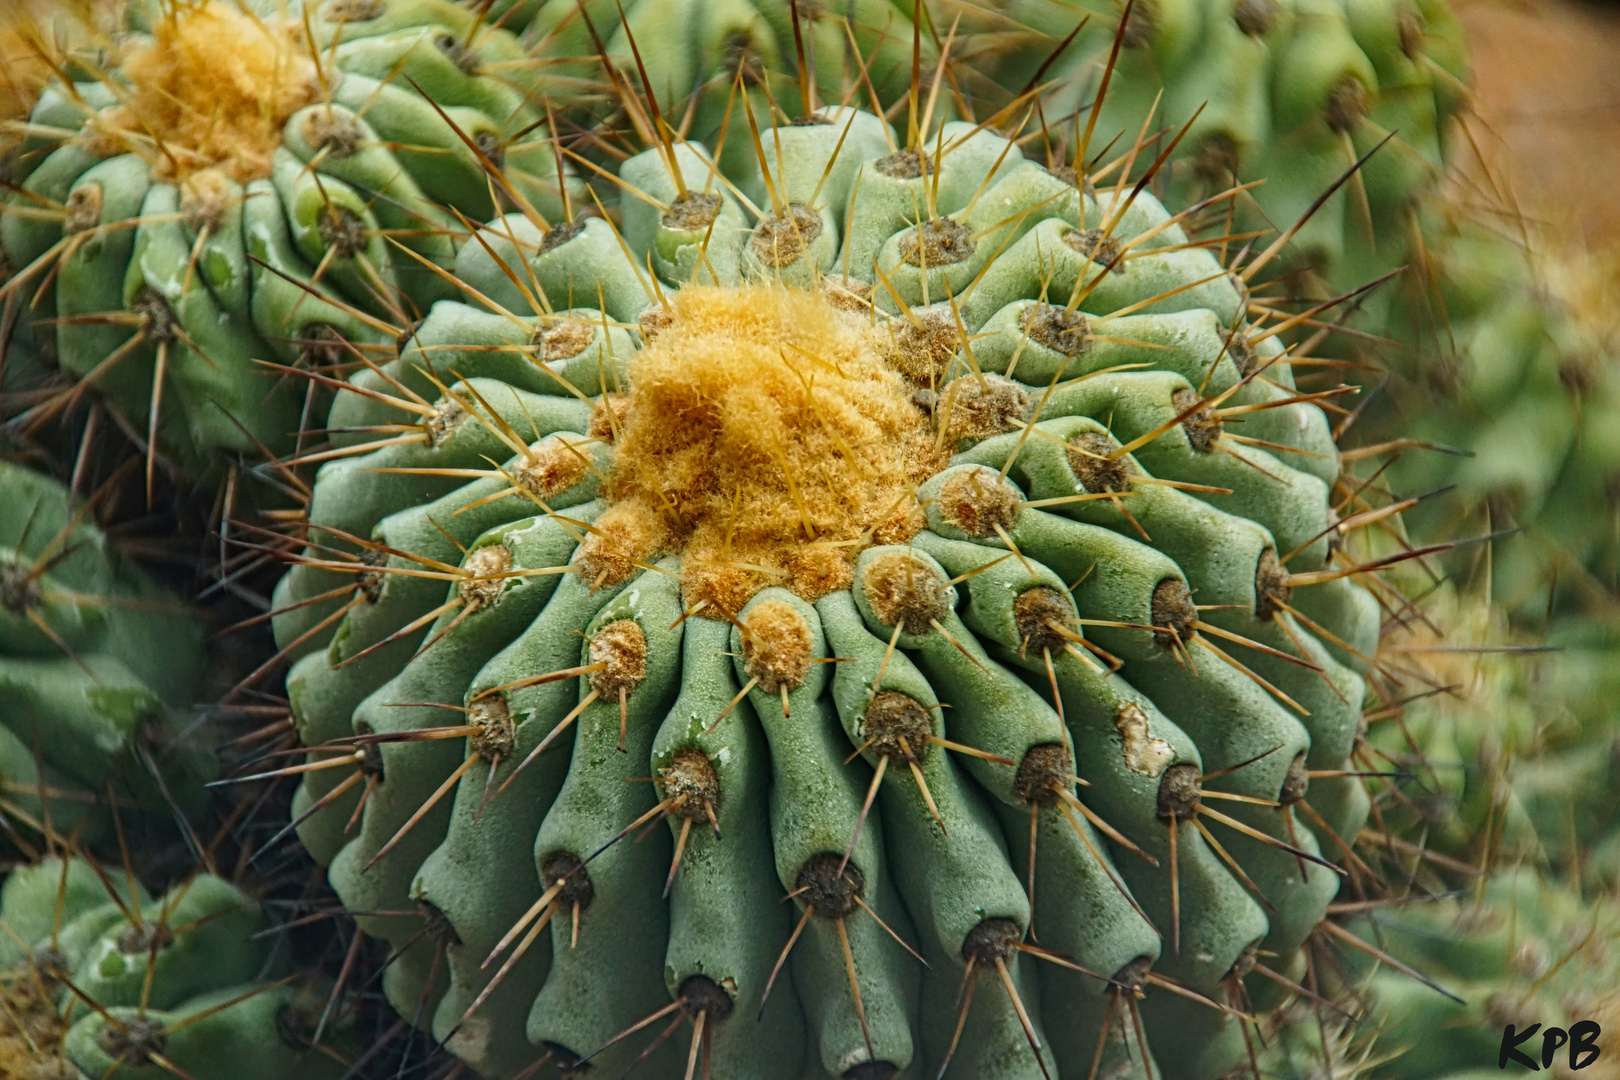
point(101, 980)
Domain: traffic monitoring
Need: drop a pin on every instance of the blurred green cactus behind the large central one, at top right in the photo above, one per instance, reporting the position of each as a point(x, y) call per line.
point(1284, 91)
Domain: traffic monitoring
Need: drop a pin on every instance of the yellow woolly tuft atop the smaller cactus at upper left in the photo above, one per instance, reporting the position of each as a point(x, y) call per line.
point(211, 90)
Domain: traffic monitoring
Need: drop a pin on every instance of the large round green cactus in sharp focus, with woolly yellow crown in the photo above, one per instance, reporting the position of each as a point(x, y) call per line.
point(931, 459)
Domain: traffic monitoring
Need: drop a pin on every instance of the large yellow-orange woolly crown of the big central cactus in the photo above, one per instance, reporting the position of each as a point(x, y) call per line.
point(767, 441)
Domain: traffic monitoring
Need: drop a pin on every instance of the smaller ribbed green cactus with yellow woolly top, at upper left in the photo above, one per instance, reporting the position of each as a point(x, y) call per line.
point(218, 192)
